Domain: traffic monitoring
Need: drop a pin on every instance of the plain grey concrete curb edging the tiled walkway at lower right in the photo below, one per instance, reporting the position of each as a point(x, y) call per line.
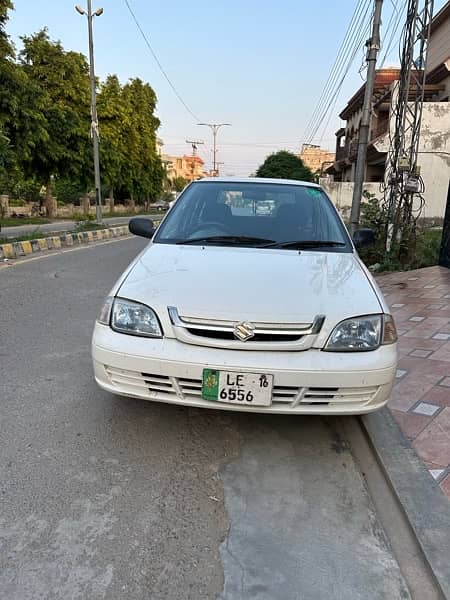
point(424, 504)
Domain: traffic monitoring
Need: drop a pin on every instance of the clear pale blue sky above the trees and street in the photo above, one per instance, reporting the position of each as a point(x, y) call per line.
point(257, 64)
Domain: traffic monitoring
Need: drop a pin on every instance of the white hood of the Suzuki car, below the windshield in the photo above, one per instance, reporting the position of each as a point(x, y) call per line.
point(268, 285)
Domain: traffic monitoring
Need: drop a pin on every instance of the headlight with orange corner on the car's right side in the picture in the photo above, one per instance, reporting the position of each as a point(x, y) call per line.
point(361, 334)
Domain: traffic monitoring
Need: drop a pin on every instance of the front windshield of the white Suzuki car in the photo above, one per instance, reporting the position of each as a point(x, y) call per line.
point(265, 215)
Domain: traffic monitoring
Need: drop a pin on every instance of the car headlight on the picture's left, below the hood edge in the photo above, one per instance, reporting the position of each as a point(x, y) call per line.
point(134, 318)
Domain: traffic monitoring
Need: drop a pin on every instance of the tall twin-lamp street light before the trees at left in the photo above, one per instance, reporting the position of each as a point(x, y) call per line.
point(94, 122)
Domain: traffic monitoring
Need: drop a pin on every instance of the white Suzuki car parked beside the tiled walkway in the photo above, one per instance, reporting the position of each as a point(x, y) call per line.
point(267, 311)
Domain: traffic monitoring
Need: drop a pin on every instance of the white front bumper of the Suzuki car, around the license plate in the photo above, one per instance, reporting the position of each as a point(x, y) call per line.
point(309, 382)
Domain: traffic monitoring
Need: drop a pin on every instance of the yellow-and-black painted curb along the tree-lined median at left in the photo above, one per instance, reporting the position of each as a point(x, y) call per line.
point(18, 249)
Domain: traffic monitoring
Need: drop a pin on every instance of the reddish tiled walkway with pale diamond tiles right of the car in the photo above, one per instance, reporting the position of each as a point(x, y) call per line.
point(420, 303)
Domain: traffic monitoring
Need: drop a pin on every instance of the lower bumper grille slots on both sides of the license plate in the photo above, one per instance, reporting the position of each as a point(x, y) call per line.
point(162, 387)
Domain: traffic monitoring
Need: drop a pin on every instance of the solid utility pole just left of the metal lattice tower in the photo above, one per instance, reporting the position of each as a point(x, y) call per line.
point(373, 46)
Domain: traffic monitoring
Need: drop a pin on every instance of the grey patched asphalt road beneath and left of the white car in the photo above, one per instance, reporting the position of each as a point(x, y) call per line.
point(111, 498)
